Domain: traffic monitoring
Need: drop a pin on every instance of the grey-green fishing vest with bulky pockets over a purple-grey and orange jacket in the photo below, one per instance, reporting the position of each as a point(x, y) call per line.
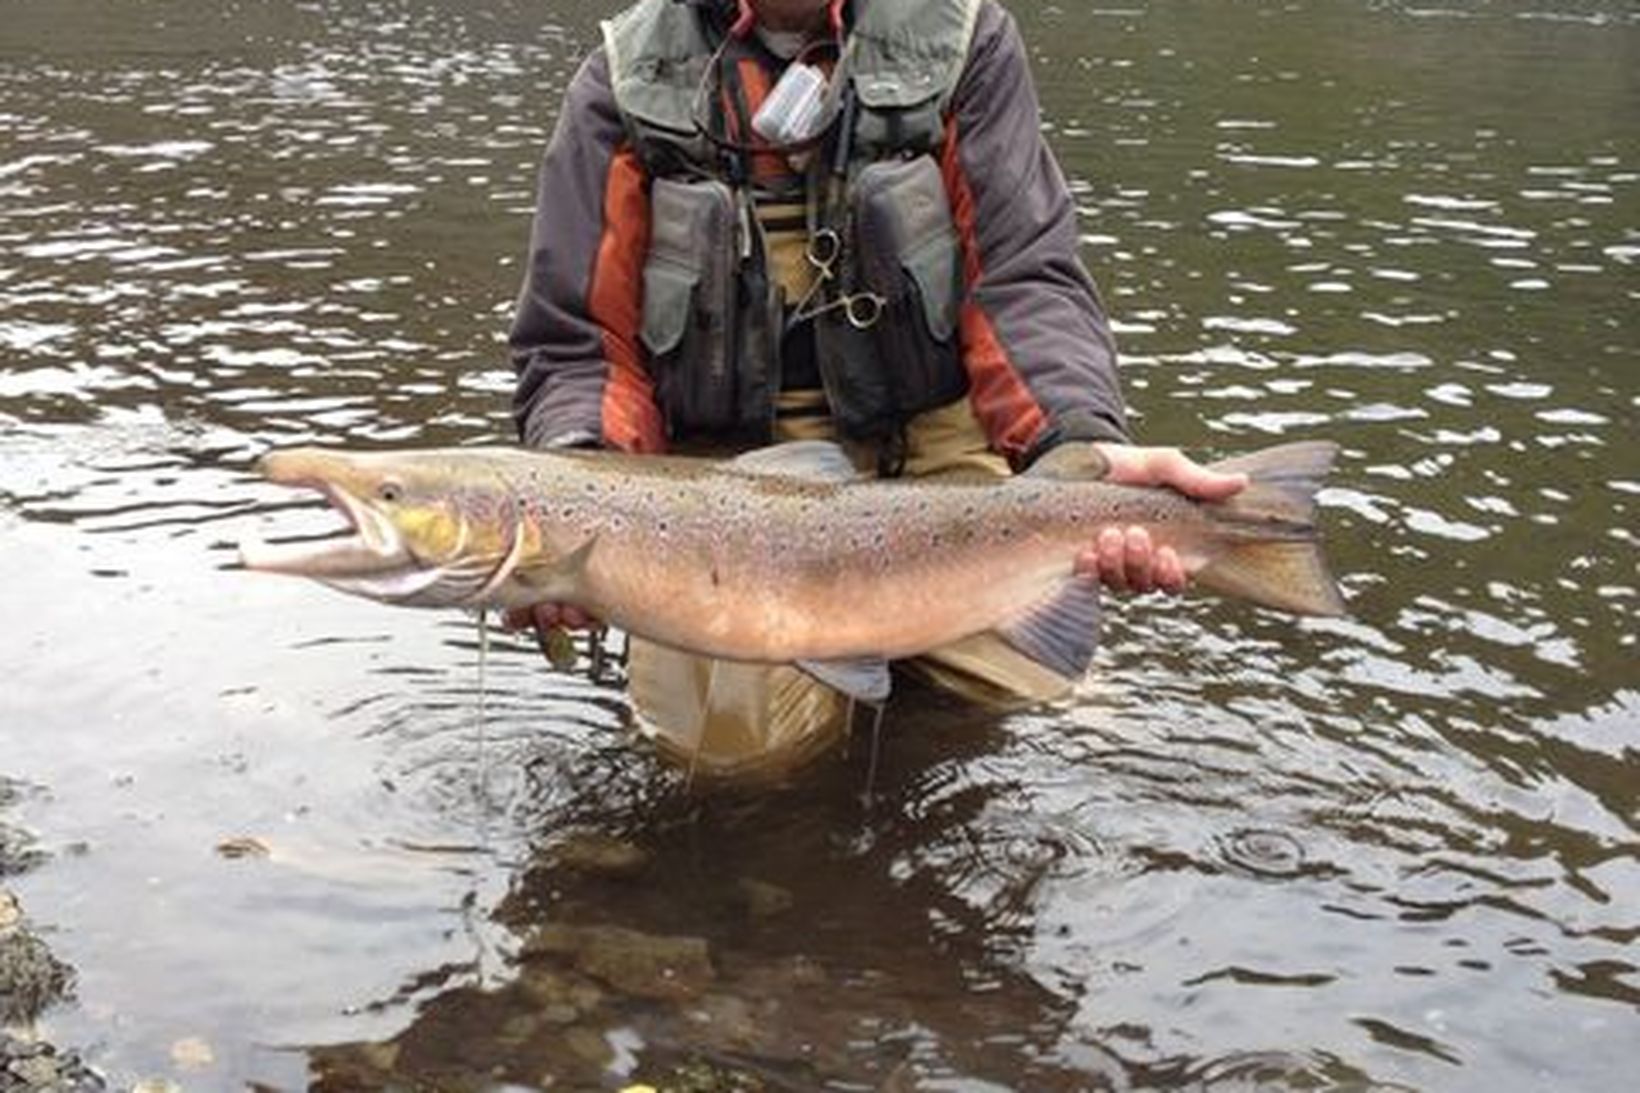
point(717, 301)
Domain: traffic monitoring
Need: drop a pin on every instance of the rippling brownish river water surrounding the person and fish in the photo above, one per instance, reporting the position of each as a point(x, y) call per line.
point(1395, 851)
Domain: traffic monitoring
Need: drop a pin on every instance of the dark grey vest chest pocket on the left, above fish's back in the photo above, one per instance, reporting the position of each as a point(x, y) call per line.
point(688, 322)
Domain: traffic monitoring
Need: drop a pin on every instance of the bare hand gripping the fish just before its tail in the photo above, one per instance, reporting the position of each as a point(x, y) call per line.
point(1126, 559)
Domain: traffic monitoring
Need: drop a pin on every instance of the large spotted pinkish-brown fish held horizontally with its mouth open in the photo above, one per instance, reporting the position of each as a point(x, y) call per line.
point(783, 556)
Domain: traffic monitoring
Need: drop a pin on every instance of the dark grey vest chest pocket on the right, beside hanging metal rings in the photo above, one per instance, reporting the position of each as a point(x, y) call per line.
point(908, 254)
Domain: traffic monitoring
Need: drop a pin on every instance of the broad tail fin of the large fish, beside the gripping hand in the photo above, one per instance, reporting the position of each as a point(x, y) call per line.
point(1273, 556)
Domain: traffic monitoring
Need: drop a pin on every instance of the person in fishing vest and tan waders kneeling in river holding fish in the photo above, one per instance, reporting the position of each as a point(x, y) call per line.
point(768, 221)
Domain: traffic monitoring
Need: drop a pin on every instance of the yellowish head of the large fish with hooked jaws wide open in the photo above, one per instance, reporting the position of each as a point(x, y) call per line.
point(421, 531)
